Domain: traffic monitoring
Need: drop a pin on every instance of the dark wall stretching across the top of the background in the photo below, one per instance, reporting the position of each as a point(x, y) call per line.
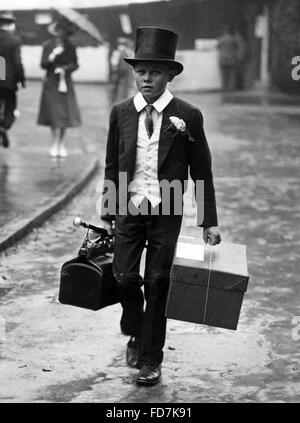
point(194, 19)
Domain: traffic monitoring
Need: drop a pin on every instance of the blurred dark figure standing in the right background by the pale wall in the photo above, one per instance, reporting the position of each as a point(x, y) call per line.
point(228, 59)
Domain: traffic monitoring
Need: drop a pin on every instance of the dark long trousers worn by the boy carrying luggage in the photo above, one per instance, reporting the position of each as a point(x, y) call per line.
point(161, 233)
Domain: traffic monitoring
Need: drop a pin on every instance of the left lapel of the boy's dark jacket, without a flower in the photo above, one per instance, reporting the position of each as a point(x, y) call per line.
point(130, 128)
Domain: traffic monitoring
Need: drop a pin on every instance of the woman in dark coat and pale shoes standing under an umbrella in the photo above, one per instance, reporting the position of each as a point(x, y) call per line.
point(58, 107)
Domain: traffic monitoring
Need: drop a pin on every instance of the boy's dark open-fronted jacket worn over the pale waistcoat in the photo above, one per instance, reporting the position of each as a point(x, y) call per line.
point(177, 152)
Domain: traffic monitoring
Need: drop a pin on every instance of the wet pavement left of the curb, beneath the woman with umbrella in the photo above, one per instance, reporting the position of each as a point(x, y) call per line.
point(32, 184)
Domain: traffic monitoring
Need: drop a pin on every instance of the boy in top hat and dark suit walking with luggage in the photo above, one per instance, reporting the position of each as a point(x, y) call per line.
point(145, 148)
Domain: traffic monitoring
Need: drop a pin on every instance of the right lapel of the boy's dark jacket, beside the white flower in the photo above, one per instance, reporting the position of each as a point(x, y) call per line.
point(166, 139)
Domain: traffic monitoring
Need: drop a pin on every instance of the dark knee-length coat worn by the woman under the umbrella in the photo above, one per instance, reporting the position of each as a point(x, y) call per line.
point(58, 109)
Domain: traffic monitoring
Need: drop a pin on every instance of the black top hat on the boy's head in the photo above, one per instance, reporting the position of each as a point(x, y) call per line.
point(155, 45)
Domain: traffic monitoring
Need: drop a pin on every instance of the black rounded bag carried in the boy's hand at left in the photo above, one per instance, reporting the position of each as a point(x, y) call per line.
point(87, 281)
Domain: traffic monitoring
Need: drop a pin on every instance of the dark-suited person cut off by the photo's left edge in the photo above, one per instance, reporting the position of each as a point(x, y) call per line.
point(10, 51)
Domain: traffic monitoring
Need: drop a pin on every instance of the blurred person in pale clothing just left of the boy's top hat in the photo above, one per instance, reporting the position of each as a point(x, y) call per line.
point(122, 76)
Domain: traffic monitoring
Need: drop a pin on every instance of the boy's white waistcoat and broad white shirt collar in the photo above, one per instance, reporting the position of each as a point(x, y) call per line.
point(145, 179)
